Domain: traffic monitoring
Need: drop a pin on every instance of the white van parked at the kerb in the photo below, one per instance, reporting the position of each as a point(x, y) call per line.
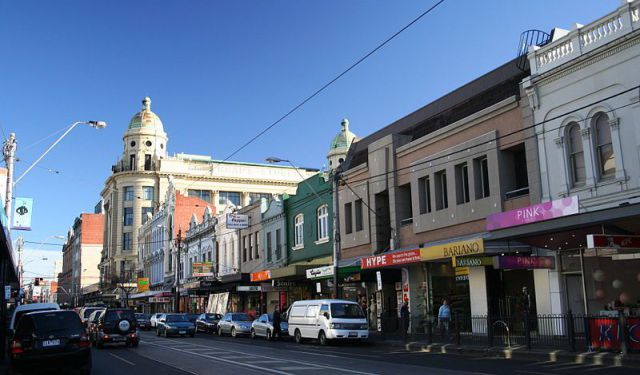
point(327, 319)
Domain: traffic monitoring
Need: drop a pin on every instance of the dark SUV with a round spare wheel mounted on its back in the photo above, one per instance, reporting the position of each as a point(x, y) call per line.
point(117, 325)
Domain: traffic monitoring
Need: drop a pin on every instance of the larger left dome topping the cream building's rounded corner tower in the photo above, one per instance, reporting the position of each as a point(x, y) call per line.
point(145, 141)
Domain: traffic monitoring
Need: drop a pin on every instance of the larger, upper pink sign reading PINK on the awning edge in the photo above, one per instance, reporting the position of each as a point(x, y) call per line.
point(531, 214)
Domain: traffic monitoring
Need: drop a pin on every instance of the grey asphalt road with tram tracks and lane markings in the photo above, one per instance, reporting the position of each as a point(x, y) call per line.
point(206, 354)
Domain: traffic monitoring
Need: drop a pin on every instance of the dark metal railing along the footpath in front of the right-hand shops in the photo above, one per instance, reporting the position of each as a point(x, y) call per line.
point(567, 331)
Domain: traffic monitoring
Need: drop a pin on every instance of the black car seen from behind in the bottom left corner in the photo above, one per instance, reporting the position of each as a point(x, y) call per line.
point(50, 339)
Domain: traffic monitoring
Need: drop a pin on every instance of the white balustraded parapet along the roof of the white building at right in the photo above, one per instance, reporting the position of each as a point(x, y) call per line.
point(584, 39)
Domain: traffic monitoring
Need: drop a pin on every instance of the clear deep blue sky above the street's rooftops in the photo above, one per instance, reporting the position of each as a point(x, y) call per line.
point(220, 71)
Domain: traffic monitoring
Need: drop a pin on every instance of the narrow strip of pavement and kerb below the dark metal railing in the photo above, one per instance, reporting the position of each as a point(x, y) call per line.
point(513, 352)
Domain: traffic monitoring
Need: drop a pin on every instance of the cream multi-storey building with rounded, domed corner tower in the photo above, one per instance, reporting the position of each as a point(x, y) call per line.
point(141, 177)
